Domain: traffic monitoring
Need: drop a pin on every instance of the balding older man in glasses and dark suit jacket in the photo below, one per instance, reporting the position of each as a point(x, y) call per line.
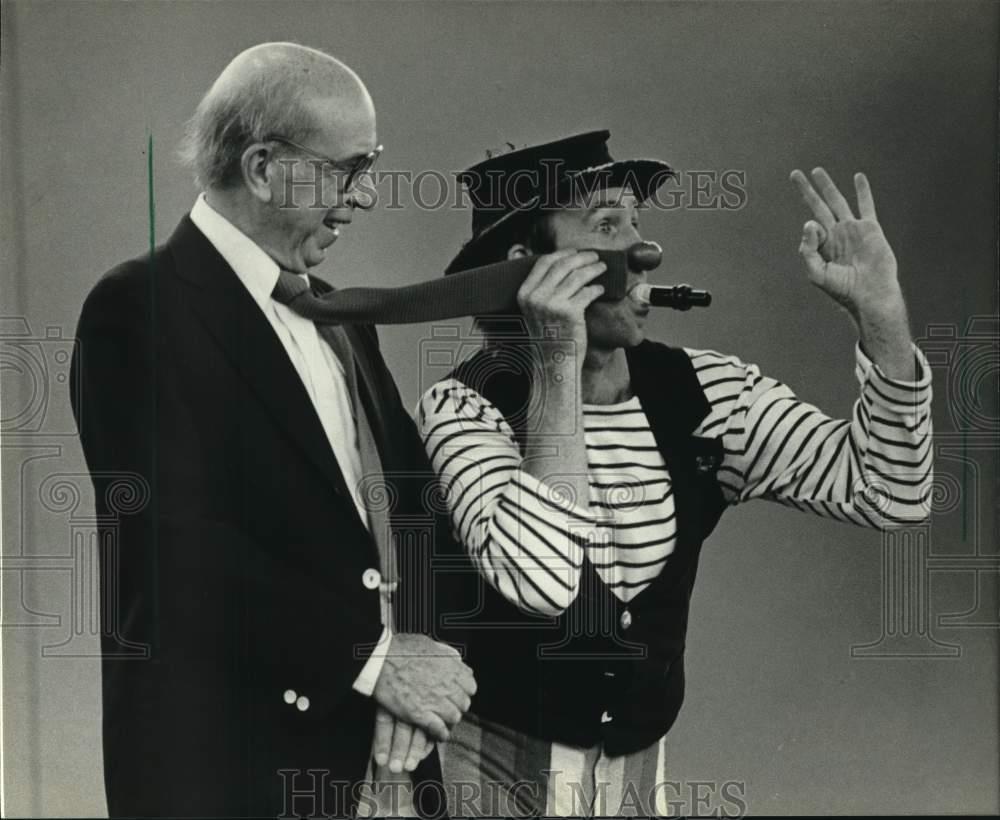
point(258, 577)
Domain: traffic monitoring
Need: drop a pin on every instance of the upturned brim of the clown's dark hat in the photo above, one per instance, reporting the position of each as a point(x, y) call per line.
point(643, 176)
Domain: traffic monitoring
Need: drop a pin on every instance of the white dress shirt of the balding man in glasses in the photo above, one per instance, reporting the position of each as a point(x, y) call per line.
point(320, 369)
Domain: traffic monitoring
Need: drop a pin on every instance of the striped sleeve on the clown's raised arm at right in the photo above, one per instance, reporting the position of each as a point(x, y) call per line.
point(873, 469)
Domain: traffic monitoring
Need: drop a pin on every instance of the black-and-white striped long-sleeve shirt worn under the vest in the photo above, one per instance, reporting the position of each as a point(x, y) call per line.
point(873, 469)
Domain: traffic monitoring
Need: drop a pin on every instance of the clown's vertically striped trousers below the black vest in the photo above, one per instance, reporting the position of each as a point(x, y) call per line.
point(493, 771)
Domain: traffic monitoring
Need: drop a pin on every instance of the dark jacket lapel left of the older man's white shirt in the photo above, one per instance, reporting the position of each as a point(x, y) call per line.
point(235, 322)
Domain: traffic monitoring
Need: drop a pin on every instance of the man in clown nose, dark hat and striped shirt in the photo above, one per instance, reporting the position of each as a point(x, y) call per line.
point(584, 466)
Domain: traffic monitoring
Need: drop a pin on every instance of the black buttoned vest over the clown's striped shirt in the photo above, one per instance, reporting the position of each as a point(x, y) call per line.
point(603, 671)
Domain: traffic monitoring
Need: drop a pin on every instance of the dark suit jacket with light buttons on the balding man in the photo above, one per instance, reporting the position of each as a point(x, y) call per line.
point(241, 570)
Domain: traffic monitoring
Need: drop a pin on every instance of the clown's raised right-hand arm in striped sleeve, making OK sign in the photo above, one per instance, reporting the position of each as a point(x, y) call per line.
point(875, 468)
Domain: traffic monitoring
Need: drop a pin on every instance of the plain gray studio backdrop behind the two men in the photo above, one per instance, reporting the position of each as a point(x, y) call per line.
point(832, 669)
